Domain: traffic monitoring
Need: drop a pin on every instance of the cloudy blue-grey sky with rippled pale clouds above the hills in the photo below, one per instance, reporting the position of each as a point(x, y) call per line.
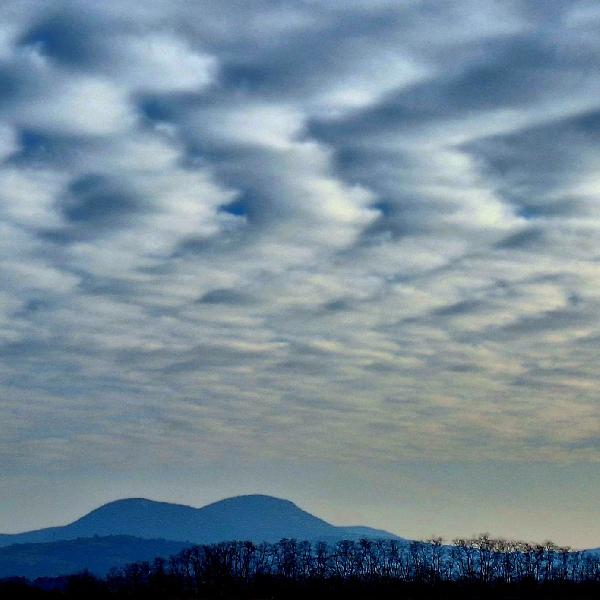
point(346, 253)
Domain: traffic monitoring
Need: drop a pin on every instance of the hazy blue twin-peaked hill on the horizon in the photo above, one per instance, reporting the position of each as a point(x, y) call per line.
point(255, 517)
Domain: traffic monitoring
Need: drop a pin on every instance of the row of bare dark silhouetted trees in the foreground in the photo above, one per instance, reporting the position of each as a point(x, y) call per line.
point(482, 558)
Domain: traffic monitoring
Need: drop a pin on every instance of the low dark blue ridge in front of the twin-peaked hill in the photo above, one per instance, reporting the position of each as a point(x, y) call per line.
point(97, 555)
